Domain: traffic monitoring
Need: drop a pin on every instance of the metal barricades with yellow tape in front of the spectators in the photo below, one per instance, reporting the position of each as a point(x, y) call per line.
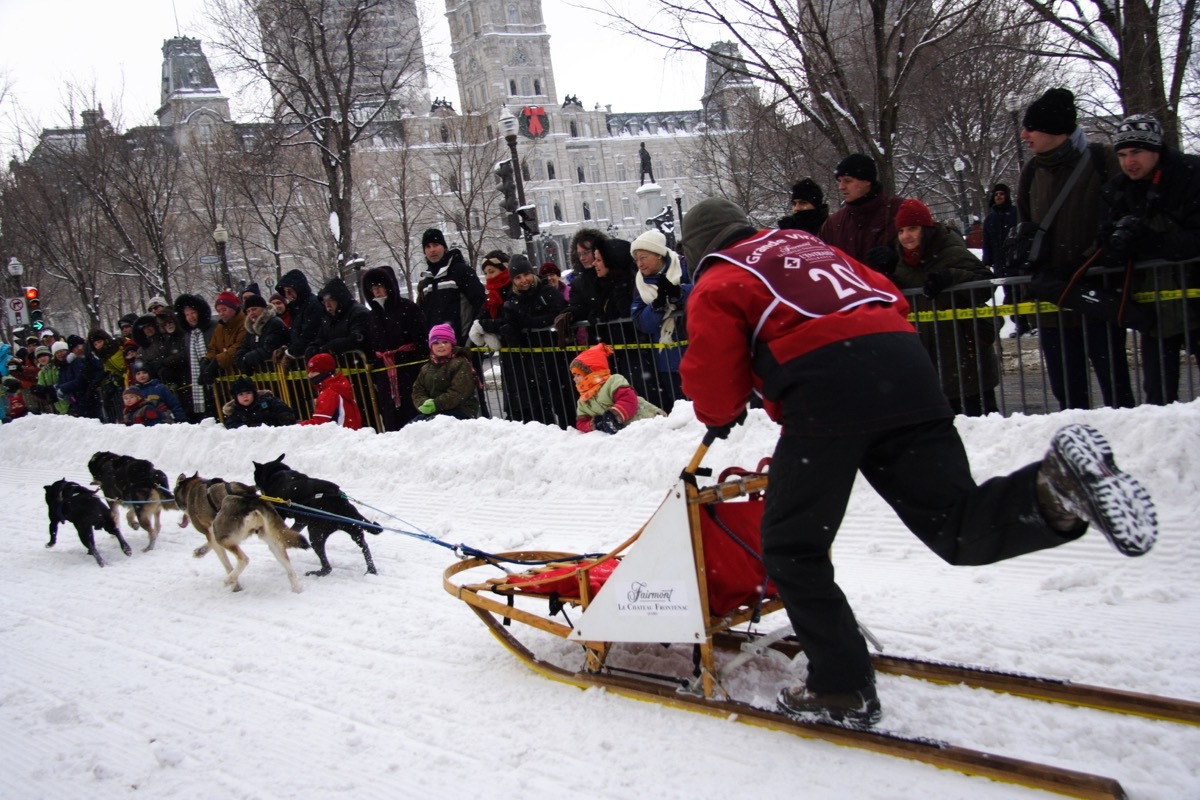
point(533, 383)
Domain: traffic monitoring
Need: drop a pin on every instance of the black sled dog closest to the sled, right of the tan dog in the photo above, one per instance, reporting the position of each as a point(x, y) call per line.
point(278, 480)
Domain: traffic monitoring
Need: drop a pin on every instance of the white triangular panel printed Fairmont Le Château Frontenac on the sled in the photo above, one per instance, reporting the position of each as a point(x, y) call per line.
point(653, 596)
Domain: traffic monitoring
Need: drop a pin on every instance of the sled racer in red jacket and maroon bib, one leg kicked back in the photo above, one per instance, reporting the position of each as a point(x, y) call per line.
point(827, 345)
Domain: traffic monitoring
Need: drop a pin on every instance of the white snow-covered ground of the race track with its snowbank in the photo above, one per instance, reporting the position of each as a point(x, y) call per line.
point(149, 679)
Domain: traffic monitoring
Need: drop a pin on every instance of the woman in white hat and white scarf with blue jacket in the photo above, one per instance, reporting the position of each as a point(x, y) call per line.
point(662, 292)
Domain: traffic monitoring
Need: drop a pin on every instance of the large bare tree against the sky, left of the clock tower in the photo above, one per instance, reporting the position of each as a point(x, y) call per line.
point(335, 68)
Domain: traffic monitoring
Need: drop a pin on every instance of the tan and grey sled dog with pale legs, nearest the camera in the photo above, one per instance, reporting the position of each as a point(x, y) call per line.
point(239, 515)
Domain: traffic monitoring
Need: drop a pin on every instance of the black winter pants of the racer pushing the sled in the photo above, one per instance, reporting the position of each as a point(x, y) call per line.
point(923, 473)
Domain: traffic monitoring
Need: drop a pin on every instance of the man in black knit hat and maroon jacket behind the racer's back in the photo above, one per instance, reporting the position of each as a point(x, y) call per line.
point(867, 219)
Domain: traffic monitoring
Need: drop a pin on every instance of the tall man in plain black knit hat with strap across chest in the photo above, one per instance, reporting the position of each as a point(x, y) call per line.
point(1065, 164)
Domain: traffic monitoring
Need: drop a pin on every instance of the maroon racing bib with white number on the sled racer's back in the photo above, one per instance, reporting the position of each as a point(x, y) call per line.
point(805, 273)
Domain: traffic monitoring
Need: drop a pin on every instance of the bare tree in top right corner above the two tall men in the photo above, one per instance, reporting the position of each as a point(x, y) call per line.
point(1144, 51)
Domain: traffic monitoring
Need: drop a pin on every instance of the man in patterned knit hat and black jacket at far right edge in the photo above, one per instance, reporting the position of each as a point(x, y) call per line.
point(1155, 213)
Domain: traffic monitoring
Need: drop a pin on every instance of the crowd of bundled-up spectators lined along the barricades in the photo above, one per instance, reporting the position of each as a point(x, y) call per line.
point(1078, 204)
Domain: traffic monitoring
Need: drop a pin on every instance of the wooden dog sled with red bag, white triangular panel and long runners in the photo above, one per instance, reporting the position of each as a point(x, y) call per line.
point(691, 576)
